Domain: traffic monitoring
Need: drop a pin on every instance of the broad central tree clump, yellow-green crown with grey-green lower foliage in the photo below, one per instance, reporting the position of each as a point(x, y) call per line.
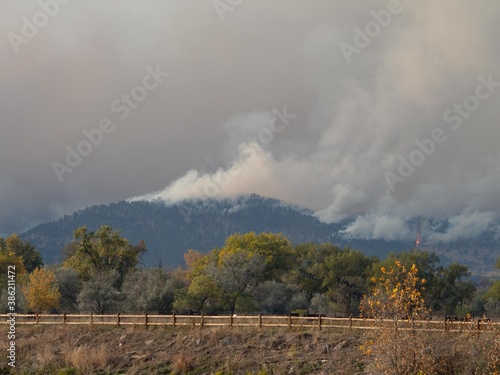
point(227, 278)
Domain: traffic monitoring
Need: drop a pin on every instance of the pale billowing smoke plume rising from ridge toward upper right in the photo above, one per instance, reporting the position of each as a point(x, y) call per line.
point(427, 62)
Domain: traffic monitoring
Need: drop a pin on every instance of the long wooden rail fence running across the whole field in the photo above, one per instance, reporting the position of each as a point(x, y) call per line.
point(245, 321)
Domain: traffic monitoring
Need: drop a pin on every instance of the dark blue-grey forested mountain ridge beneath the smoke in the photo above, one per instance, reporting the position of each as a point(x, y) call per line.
point(169, 230)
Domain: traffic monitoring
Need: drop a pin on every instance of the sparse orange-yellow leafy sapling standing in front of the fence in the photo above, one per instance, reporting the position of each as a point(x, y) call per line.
point(396, 297)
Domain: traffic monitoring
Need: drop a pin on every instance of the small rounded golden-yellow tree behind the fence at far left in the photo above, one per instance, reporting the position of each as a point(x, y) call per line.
point(41, 292)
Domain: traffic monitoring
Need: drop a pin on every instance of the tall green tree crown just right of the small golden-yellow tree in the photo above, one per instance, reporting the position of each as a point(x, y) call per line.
point(102, 251)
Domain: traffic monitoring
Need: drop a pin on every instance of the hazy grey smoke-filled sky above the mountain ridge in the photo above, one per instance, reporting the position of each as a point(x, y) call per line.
point(382, 109)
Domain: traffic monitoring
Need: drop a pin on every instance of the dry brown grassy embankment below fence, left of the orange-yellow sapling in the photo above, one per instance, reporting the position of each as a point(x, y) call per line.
point(222, 351)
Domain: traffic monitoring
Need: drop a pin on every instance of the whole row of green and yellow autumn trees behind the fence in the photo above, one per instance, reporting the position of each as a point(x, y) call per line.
point(264, 272)
